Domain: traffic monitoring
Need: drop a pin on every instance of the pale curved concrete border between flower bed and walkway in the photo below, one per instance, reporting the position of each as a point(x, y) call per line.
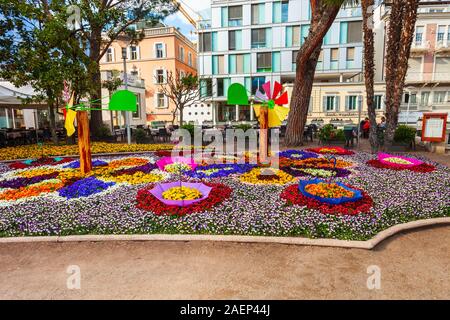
point(368, 245)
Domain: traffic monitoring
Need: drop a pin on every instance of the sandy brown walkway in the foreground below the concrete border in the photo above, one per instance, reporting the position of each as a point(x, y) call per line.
point(414, 265)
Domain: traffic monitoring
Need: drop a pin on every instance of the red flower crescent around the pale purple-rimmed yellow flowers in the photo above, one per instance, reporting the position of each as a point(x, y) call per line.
point(146, 201)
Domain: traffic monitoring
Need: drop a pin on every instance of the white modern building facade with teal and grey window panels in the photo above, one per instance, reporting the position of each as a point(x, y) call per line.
point(251, 42)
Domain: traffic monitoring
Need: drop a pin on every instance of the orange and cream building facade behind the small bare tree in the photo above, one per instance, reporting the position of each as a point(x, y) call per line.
point(163, 50)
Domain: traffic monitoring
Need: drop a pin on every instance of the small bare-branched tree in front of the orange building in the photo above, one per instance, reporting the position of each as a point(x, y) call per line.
point(182, 90)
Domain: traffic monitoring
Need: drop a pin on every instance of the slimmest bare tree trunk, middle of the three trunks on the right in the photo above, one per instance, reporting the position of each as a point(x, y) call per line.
point(369, 70)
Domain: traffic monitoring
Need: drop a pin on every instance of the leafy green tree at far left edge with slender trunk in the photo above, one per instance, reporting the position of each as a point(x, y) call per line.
point(35, 50)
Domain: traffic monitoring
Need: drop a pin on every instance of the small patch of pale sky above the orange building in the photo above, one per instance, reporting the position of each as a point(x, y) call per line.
point(178, 20)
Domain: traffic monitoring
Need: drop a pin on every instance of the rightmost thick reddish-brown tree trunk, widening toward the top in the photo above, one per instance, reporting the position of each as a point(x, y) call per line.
point(400, 34)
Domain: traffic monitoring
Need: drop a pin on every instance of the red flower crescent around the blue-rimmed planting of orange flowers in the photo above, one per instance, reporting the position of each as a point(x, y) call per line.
point(293, 196)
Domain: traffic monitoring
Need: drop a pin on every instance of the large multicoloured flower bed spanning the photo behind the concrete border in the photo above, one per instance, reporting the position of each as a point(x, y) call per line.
point(243, 203)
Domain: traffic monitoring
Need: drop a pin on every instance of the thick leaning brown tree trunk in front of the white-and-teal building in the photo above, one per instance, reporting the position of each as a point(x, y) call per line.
point(323, 14)
